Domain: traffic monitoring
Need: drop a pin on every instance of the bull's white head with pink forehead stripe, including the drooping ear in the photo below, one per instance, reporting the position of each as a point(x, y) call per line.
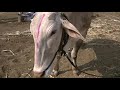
point(46, 28)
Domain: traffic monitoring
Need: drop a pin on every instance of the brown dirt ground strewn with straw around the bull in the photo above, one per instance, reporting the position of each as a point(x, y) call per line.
point(100, 57)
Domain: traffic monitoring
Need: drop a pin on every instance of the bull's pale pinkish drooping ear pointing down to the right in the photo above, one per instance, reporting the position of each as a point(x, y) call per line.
point(71, 30)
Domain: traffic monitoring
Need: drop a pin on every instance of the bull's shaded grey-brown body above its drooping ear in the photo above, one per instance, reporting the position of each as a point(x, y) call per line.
point(80, 19)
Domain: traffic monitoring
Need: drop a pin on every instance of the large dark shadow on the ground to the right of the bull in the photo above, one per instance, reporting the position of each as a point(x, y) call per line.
point(107, 60)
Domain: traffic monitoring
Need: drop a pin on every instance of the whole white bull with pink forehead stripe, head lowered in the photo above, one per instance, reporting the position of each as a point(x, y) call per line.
point(47, 28)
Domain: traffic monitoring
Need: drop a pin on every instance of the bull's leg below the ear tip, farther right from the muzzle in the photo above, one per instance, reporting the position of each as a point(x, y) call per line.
point(74, 55)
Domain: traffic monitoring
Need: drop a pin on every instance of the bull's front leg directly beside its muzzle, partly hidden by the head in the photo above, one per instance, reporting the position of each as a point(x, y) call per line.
point(56, 68)
